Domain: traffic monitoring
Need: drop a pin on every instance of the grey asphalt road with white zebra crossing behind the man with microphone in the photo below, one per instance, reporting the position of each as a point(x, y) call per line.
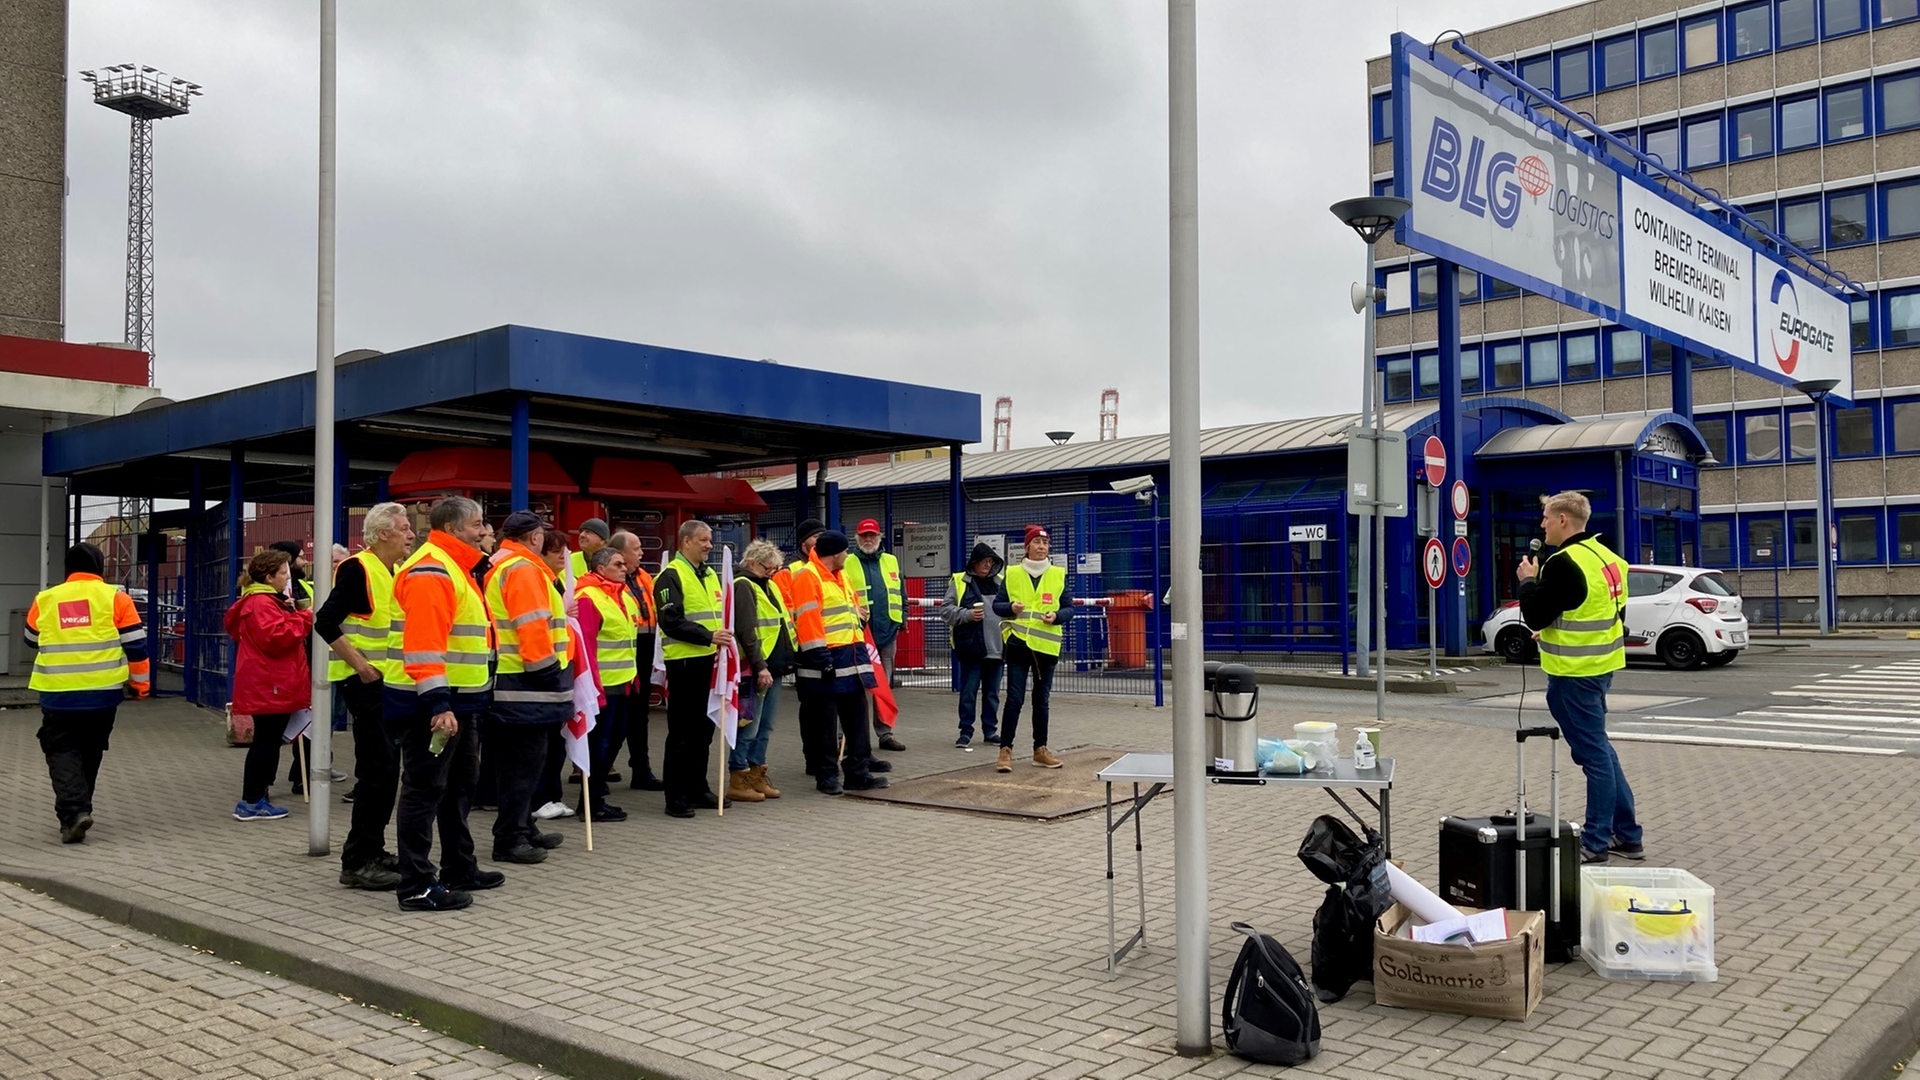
point(1838, 695)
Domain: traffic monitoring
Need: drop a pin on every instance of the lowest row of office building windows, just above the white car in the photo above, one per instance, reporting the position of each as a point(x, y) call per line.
point(1773, 539)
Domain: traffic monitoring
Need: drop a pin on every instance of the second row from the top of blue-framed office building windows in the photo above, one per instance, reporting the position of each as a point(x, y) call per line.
point(1783, 126)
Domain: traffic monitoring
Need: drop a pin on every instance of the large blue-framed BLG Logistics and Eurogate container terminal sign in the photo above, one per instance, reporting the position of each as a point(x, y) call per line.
point(1504, 191)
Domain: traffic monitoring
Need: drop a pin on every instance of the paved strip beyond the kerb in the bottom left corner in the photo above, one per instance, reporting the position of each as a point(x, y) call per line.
point(84, 998)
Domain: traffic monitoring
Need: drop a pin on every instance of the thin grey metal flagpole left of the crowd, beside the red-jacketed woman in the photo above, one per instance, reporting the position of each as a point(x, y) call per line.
point(322, 770)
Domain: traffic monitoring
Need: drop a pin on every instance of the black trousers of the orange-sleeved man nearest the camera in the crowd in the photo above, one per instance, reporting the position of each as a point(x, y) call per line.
point(435, 791)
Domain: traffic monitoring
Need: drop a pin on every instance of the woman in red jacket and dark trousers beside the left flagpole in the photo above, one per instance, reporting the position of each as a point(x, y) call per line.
point(272, 675)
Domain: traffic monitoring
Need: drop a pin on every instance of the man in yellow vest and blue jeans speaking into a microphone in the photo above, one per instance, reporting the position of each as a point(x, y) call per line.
point(1577, 602)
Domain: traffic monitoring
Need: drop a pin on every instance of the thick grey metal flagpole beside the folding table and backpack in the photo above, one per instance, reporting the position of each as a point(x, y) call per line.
point(1193, 1021)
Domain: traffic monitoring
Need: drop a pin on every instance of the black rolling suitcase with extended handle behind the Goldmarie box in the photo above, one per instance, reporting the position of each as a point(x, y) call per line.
point(1491, 862)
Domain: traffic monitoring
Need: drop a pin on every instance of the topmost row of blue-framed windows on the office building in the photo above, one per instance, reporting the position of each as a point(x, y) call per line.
point(1662, 51)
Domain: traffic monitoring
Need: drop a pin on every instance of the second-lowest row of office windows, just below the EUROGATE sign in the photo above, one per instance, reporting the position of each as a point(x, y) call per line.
point(1754, 437)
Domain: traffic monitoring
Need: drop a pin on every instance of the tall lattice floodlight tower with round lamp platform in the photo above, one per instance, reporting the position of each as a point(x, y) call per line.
point(143, 95)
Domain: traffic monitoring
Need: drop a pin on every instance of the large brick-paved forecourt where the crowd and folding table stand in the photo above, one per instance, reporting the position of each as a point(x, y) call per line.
point(836, 939)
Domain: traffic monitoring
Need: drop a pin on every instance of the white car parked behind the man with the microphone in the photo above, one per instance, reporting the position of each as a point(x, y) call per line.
point(1683, 616)
